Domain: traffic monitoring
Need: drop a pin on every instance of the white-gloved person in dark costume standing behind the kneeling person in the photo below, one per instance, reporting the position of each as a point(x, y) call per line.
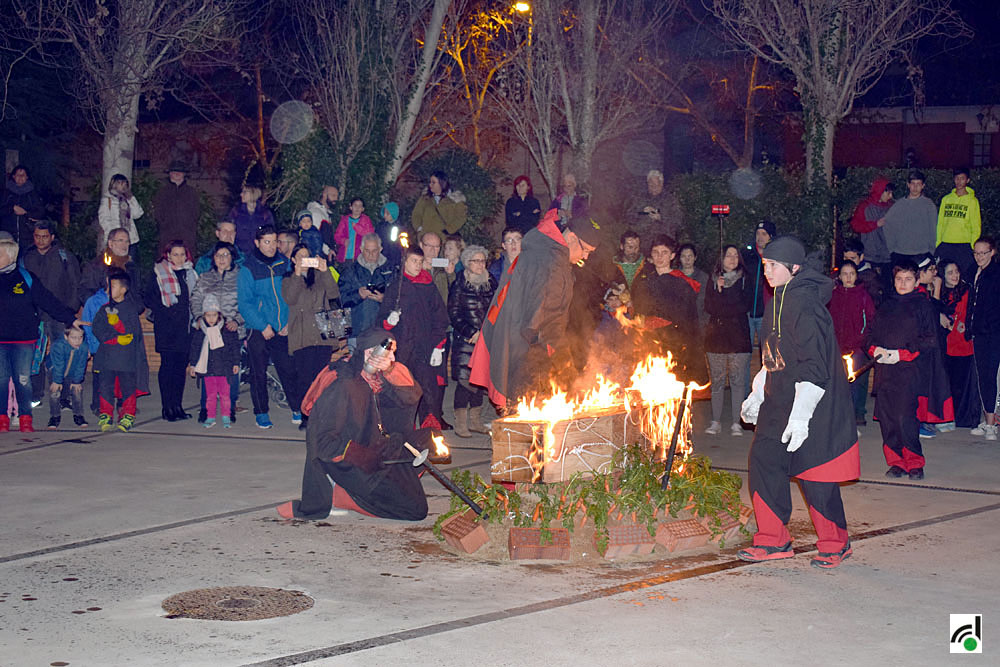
point(413, 310)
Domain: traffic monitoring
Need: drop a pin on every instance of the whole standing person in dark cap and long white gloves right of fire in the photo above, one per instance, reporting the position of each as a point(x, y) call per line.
point(804, 413)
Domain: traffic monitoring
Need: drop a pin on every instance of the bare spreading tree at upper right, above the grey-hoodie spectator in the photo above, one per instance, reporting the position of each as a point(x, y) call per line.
point(837, 51)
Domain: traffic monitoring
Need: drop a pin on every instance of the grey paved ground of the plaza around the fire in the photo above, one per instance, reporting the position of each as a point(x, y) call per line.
point(110, 525)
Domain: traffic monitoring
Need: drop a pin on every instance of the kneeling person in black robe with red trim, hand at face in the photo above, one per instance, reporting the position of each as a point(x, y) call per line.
point(359, 422)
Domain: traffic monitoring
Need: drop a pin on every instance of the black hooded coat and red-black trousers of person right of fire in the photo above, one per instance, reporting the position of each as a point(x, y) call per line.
point(797, 322)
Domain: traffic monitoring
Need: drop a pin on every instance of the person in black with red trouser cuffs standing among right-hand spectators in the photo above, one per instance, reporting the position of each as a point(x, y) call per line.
point(904, 339)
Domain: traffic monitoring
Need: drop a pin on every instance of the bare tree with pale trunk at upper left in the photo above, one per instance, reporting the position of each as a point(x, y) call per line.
point(121, 51)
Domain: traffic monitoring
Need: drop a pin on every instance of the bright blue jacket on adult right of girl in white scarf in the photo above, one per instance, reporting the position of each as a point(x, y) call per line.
point(258, 291)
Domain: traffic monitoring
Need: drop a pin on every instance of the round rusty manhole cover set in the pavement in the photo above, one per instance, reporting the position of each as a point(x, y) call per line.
point(236, 603)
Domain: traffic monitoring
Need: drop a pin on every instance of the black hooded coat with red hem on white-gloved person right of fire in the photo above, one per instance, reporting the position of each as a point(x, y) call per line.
point(805, 339)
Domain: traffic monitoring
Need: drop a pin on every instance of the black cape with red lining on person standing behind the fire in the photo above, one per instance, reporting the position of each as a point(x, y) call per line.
point(528, 313)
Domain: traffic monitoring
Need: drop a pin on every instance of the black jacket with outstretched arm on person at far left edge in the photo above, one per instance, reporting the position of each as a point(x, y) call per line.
point(21, 299)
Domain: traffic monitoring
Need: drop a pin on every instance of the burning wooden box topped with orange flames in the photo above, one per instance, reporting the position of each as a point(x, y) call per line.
point(549, 439)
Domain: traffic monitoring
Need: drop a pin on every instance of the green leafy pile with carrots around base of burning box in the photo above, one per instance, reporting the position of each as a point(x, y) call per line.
point(632, 490)
